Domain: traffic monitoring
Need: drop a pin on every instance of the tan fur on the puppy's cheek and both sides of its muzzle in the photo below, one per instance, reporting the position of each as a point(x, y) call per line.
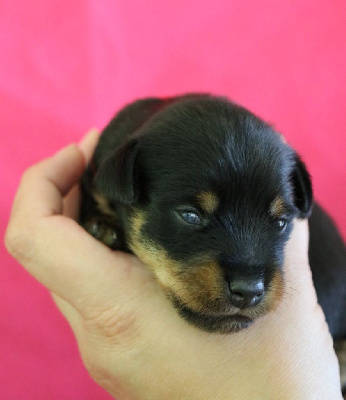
point(198, 284)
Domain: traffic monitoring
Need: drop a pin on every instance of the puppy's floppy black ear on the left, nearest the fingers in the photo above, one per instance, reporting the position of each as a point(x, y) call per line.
point(116, 176)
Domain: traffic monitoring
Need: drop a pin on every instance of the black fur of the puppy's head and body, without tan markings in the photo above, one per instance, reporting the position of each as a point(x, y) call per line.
point(157, 155)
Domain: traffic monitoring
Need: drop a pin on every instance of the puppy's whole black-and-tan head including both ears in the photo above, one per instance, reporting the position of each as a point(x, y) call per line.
point(208, 194)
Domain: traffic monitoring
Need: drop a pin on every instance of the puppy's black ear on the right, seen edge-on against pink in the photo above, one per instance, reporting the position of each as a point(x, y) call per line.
point(302, 188)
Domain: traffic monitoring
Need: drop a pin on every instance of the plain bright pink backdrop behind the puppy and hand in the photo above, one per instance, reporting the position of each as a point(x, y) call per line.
point(66, 66)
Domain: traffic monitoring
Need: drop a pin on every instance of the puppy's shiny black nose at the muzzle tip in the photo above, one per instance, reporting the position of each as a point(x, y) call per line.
point(245, 293)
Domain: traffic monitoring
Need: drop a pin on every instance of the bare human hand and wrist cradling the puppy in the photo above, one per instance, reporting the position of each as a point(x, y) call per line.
point(131, 339)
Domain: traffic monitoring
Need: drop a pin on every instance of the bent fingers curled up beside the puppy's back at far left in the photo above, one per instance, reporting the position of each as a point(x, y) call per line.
point(43, 187)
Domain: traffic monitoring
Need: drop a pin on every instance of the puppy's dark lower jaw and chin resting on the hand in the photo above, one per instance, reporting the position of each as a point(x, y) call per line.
point(213, 323)
